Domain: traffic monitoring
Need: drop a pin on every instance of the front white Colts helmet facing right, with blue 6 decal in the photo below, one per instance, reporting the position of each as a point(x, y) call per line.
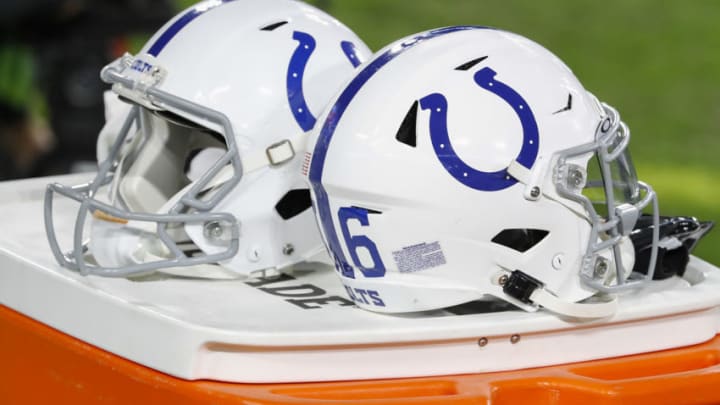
point(468, 162)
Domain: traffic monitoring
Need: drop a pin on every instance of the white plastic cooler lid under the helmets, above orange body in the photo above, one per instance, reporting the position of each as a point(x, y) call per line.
point(231, 331)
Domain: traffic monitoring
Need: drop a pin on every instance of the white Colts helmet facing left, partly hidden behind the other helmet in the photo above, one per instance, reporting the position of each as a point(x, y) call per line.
point(206, 167)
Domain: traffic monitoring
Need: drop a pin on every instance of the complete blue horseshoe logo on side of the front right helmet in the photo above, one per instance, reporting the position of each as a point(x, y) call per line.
point(461, 171)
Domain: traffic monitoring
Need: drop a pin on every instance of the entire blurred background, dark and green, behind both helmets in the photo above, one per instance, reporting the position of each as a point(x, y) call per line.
point(657, 62)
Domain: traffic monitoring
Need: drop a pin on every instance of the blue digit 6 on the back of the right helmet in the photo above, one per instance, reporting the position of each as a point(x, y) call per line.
point(355, 242)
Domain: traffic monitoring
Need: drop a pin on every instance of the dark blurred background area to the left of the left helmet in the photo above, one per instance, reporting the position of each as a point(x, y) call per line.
point(51, 96)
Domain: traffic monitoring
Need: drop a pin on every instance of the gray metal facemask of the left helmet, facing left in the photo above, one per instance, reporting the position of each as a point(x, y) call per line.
point(84, 194)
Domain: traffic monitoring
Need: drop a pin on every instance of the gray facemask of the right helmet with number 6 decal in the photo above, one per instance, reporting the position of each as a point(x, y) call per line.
point(621, 218)
